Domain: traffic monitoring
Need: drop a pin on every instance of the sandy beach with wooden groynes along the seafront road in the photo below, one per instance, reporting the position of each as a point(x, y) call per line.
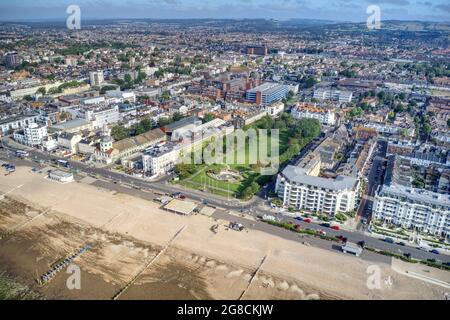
point(42, 221)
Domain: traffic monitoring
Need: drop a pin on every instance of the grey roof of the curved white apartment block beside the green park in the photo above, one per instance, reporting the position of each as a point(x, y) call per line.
point(297, 175)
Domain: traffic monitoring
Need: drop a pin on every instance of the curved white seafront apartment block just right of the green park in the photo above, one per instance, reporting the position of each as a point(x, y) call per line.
point(302, 188)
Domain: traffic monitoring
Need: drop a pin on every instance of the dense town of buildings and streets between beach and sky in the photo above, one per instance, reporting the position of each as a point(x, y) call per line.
point(362, 120)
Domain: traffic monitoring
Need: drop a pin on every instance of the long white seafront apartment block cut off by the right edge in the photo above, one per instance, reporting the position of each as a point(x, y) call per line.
point(411, 208)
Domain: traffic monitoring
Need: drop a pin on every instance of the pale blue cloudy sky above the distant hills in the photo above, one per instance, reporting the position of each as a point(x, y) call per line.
point(348, 10)
